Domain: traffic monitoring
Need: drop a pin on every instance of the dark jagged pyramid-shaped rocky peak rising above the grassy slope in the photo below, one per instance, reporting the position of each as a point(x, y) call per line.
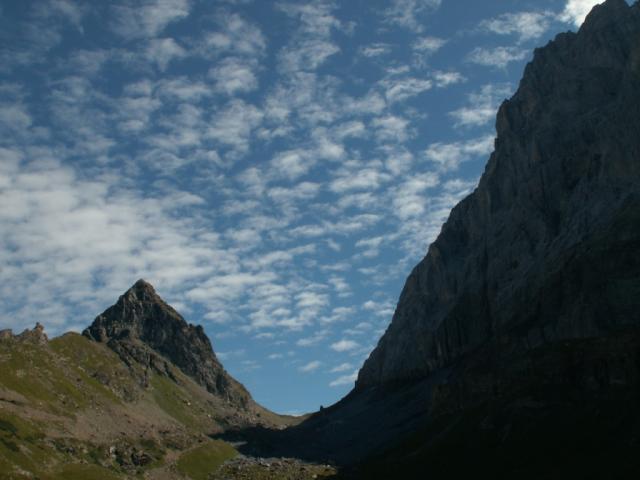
point(145, 331)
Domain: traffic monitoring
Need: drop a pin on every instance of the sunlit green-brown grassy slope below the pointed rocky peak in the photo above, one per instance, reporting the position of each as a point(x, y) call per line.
point(64, 406)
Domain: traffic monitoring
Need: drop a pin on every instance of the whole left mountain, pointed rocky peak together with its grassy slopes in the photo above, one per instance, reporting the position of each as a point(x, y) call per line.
point(138, 396)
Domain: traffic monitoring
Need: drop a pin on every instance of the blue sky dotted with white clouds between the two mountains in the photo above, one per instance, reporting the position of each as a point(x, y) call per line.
point(274, 168)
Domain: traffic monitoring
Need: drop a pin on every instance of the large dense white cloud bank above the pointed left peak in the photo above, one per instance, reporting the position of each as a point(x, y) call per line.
point(80, 230)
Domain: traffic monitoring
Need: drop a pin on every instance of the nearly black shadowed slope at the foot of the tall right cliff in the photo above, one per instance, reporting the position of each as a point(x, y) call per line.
point(565, 410)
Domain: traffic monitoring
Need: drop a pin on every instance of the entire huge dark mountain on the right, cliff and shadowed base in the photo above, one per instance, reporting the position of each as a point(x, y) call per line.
point(514, 350)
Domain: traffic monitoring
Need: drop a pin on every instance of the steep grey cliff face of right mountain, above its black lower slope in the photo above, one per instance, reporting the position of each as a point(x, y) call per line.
point(547, 248)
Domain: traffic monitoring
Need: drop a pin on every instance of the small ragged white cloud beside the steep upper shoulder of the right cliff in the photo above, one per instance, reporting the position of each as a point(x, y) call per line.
point(482, 105)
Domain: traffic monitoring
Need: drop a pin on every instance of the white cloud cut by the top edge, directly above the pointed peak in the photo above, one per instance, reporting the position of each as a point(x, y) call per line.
point(148, 19)
